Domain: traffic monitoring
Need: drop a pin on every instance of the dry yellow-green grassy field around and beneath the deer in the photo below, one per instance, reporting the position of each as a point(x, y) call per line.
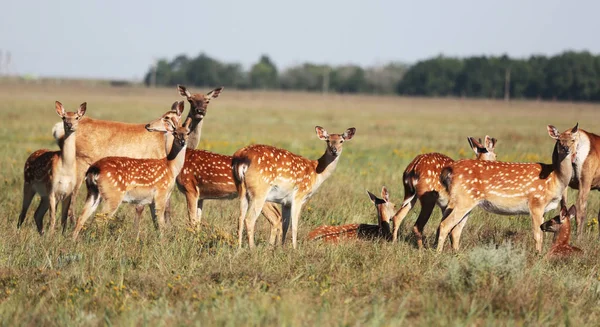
point(187, 278)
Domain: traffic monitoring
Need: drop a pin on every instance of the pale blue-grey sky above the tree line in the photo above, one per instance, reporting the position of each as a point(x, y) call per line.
point(119, 39)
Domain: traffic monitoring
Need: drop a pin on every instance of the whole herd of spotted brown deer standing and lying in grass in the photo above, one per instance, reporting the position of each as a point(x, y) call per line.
point(141, 164)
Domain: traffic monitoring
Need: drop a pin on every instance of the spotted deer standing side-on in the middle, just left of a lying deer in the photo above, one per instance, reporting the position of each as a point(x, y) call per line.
point(265, 173)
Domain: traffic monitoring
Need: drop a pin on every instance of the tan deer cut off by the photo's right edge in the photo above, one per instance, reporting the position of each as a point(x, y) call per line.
point(586, 174)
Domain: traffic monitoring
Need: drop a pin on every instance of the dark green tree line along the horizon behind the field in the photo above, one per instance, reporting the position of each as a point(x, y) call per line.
point(570, 75)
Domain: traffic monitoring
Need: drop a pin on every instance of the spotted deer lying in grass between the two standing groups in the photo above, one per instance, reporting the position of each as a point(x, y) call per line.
point(385, 210)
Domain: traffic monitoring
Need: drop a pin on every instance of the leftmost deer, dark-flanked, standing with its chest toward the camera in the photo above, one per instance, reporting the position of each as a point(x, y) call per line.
point(52, 174)
